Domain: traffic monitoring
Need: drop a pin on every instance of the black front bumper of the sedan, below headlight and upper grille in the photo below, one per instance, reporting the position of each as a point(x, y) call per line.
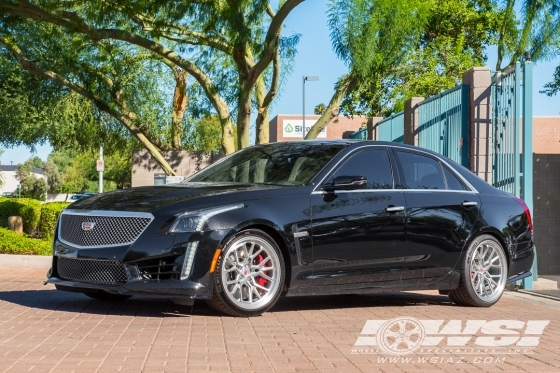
point(133, 271)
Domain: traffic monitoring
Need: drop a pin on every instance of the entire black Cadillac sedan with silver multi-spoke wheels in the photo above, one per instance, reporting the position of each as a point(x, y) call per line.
point(299, 218)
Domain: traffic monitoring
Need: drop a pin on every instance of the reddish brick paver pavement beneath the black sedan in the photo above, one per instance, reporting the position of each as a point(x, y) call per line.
point(44, 330)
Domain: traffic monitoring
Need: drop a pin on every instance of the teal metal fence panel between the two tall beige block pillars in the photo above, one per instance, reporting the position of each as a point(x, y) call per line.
point(443, 124)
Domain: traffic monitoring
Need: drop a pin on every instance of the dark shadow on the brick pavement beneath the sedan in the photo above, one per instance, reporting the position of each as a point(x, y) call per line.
point(54, 300)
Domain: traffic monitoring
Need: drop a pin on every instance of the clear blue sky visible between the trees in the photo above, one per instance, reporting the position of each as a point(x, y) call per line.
point(315, 57)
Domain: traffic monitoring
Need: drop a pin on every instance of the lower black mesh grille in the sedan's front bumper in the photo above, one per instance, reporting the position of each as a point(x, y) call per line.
point(92, 271)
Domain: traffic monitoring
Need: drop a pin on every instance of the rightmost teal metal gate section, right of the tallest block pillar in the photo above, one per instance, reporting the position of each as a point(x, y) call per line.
point(512, 131)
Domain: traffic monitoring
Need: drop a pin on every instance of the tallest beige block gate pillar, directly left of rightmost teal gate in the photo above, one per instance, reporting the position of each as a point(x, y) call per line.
point(480, 121)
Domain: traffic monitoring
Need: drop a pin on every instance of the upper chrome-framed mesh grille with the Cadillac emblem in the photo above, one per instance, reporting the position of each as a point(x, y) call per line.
point(108, 229)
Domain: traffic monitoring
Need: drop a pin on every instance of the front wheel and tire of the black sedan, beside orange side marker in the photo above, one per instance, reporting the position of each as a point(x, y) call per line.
point(238, 297)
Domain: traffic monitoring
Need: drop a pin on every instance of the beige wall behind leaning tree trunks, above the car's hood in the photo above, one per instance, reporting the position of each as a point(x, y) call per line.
point(183, 163)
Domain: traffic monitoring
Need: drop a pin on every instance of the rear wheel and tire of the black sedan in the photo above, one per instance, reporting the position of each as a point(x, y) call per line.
point(483, 273)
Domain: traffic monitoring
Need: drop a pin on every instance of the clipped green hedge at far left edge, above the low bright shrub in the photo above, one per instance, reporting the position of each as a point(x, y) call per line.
point(28, 209)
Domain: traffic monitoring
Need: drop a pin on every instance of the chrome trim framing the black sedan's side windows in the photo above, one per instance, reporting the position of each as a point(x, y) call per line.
point(472, 189)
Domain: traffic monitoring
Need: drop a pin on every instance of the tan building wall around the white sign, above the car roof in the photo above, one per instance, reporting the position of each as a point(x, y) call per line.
point(334, 129)
